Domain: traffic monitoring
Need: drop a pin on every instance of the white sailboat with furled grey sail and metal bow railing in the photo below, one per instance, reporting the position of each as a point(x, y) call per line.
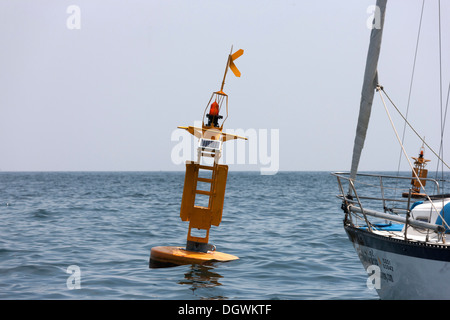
point(398, 225)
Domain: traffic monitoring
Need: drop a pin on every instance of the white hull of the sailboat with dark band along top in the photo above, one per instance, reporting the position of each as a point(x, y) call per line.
point(406, 269)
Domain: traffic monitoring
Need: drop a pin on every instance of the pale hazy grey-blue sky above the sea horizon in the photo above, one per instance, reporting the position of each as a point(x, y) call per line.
point(109, 95)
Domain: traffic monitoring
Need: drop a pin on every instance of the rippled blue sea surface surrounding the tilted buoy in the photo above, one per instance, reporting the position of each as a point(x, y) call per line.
point(88, 235)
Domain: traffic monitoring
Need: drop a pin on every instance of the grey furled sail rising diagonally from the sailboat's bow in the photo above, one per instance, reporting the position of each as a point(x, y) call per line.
point(369, 84)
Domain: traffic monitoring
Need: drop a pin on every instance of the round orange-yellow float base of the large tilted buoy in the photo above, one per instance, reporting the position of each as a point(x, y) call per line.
point(171, 255)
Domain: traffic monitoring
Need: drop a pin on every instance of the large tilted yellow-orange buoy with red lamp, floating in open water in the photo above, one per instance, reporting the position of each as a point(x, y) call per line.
point(201, 215)
